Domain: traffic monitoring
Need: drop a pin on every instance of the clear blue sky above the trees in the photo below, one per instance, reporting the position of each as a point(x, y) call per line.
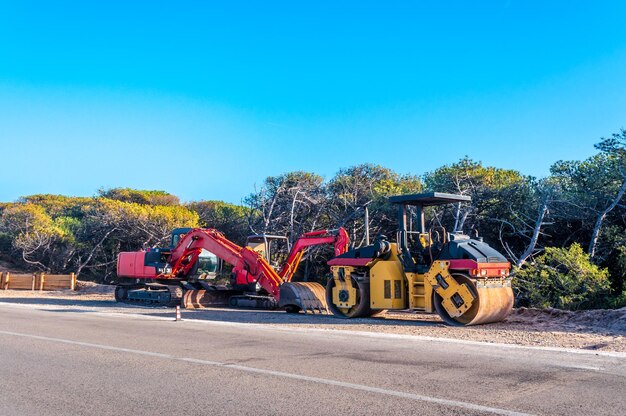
point(205, 101)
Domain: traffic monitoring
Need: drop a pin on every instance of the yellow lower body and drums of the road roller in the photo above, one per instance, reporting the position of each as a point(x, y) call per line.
point(458, 298)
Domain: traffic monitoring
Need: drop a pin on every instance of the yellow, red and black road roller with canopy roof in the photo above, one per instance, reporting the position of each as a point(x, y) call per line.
point(462, 279)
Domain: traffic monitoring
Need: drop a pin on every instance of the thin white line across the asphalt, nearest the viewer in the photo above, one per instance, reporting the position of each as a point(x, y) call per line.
point(293, 376)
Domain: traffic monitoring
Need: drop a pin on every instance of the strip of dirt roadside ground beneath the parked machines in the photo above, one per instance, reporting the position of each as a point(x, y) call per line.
point(602, 330)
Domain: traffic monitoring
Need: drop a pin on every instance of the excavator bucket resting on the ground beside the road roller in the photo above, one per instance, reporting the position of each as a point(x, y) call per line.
point(301, 296)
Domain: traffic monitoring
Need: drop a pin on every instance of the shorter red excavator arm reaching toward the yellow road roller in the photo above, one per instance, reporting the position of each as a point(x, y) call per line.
point(339, 238)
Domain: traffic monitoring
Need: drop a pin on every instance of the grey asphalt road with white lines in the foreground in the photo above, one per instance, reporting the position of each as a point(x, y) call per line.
point(73, 362)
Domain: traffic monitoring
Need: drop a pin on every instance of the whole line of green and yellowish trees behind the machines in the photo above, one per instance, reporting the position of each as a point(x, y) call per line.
point(565, 234)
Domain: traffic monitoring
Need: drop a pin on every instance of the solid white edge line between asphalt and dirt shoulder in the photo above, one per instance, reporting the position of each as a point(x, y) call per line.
point(329, 332)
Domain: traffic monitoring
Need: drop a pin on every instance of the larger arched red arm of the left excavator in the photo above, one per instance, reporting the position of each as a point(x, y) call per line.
point(248, 265)
